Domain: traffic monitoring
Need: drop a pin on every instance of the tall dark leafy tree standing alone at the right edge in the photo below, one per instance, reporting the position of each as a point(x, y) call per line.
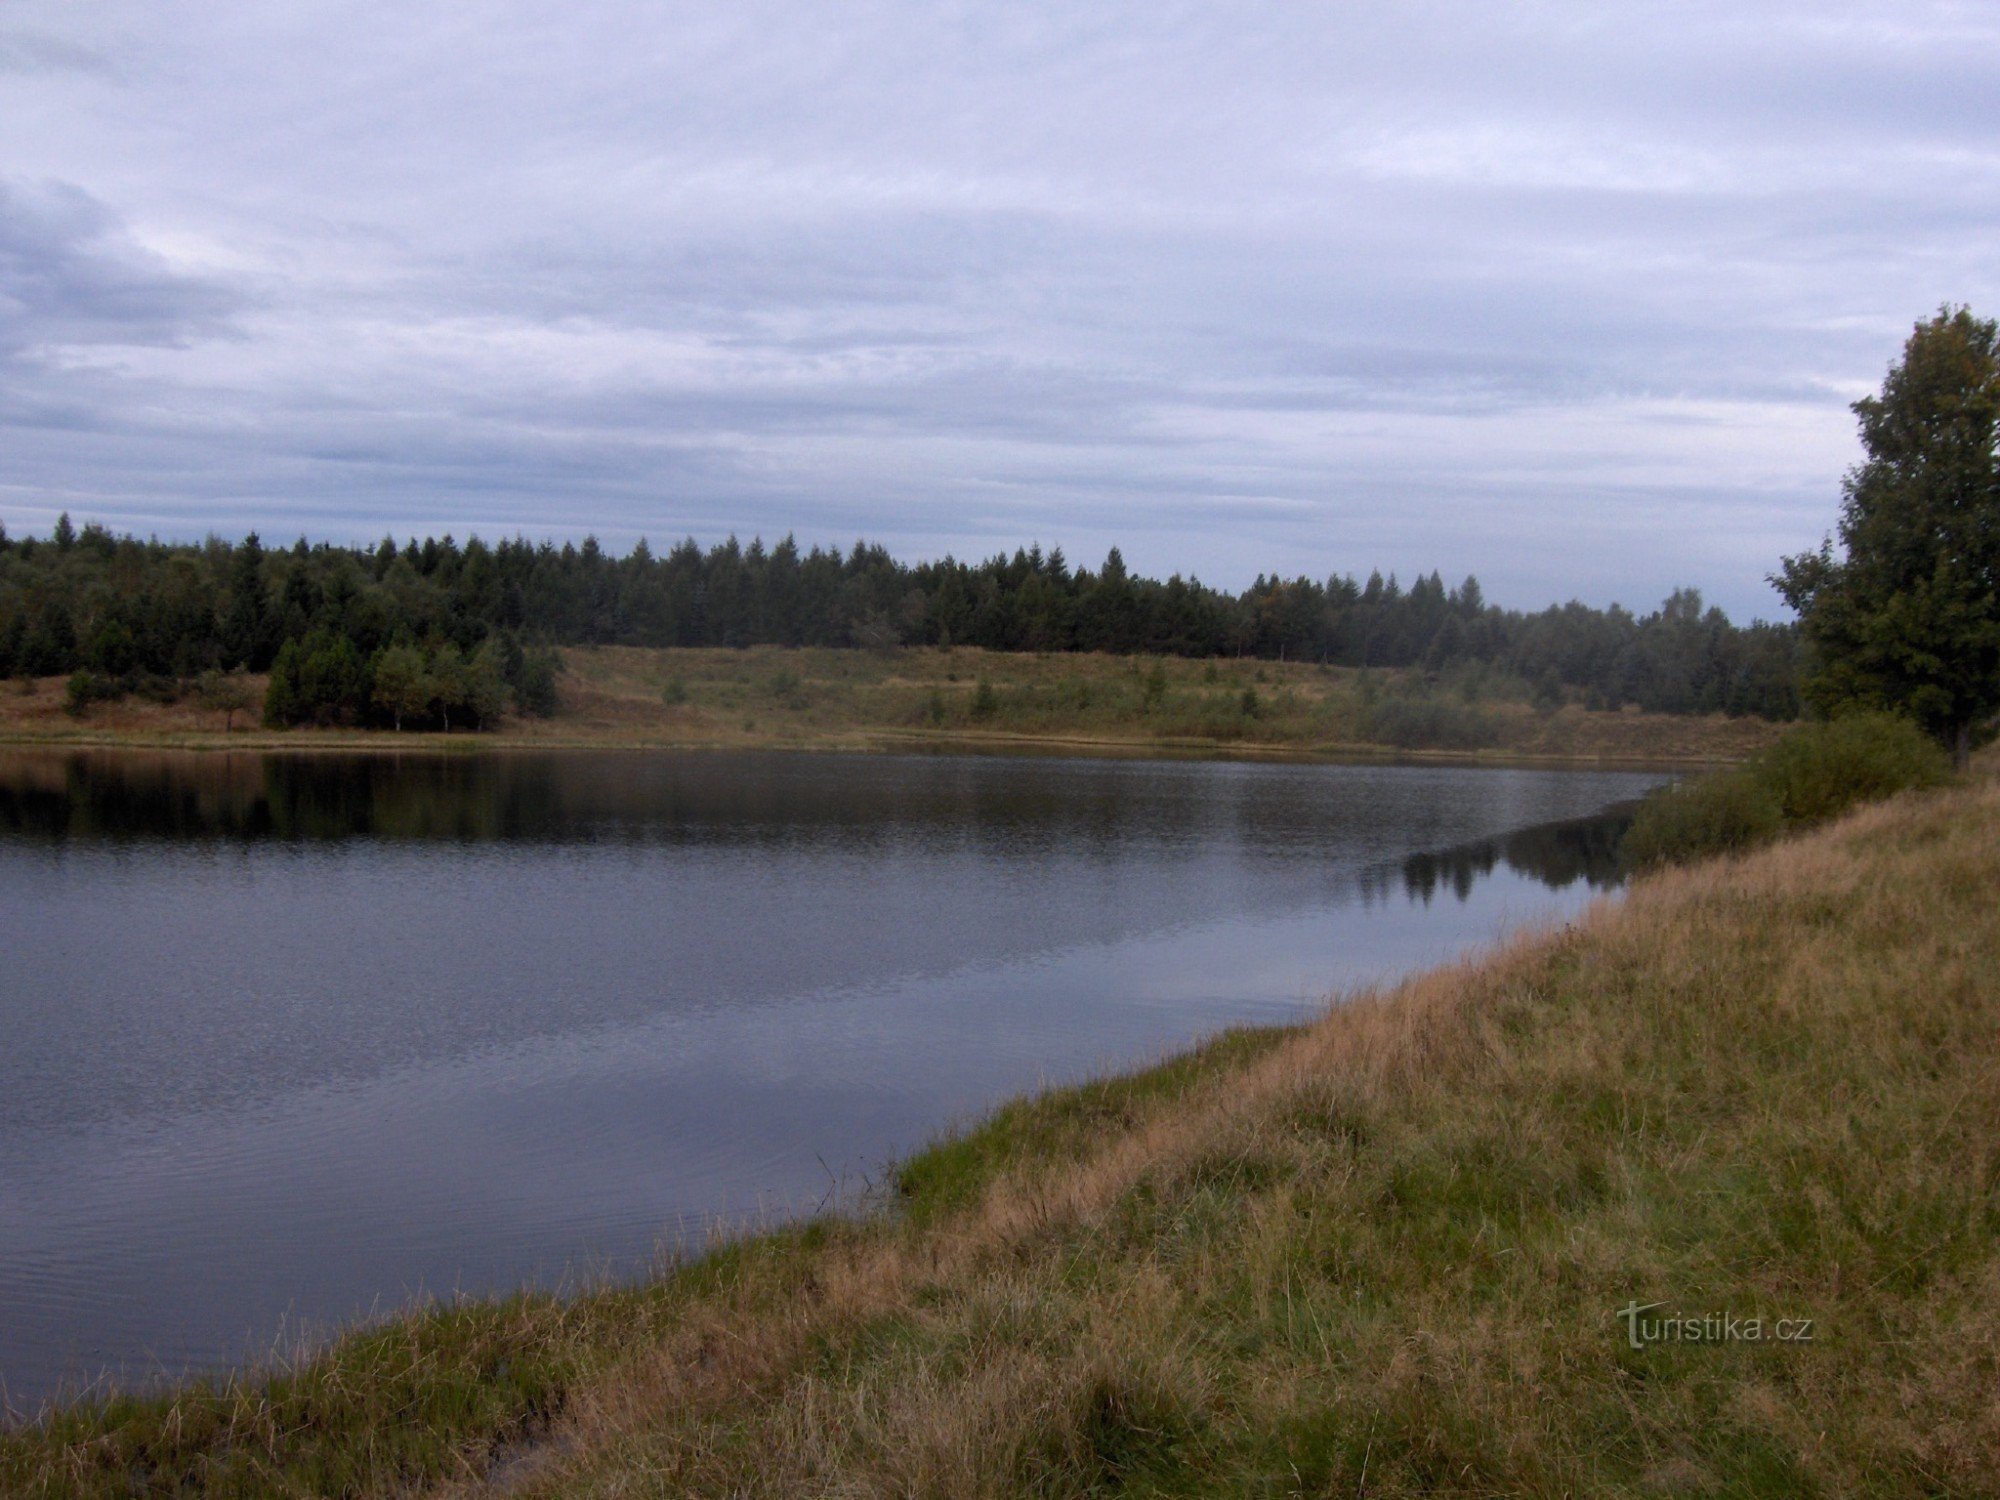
point(1909, 619)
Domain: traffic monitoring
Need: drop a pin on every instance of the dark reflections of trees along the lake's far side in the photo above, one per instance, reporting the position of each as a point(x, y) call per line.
point(639, 799)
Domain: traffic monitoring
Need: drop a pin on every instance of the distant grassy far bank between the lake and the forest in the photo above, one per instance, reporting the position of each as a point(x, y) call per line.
point(851, 699)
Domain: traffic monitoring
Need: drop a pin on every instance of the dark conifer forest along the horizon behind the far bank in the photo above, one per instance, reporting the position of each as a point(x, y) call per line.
point(459, 633)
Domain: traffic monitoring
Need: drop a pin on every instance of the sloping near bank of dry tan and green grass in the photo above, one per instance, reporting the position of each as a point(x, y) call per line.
point(1383, 1255)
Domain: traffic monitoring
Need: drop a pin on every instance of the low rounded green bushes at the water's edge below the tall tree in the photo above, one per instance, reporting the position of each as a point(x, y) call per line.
point(1811, 775)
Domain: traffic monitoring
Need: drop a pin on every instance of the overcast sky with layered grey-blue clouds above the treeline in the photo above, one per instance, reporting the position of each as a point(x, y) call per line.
point(1569, 297)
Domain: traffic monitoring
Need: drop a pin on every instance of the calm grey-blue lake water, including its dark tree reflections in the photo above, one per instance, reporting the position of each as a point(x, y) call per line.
point(289, 1039)
